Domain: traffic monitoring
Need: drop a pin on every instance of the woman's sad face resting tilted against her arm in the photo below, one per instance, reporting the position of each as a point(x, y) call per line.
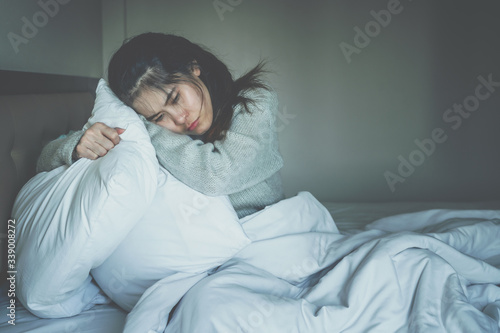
point(180, 108)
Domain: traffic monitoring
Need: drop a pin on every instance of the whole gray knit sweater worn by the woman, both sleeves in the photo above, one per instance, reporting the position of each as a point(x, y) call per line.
point(244, 165)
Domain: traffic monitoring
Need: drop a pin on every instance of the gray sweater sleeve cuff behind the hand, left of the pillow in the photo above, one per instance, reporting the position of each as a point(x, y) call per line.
point(58, 152)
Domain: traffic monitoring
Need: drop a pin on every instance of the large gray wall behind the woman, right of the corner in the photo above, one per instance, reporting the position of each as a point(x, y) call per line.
point(347, 126)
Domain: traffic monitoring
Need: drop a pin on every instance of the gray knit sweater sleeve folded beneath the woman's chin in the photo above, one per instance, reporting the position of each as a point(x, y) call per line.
point(248, 155)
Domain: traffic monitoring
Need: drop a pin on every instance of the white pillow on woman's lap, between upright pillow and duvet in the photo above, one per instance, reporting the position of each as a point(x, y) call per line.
point(184, 232)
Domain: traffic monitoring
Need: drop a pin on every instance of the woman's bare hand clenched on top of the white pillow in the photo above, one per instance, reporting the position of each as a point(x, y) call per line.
point(97, 140)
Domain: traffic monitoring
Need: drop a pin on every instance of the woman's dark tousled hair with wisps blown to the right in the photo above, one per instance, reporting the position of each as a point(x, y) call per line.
point(152, 60)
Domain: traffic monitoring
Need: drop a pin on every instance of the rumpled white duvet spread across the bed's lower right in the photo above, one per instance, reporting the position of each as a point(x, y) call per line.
point(300, 274)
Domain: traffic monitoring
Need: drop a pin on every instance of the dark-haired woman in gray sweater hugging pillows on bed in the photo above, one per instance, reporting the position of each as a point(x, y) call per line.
point(215, 134)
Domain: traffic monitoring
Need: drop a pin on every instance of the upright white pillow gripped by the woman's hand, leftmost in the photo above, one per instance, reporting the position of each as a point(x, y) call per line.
point(71, 219)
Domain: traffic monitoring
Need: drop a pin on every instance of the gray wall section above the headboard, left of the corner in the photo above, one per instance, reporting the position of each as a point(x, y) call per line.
point(63, 38)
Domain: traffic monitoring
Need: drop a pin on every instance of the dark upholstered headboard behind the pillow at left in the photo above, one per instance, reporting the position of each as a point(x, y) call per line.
point(34, 109)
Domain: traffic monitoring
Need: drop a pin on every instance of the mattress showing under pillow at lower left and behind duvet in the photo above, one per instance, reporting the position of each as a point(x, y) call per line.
point(109, 318)
